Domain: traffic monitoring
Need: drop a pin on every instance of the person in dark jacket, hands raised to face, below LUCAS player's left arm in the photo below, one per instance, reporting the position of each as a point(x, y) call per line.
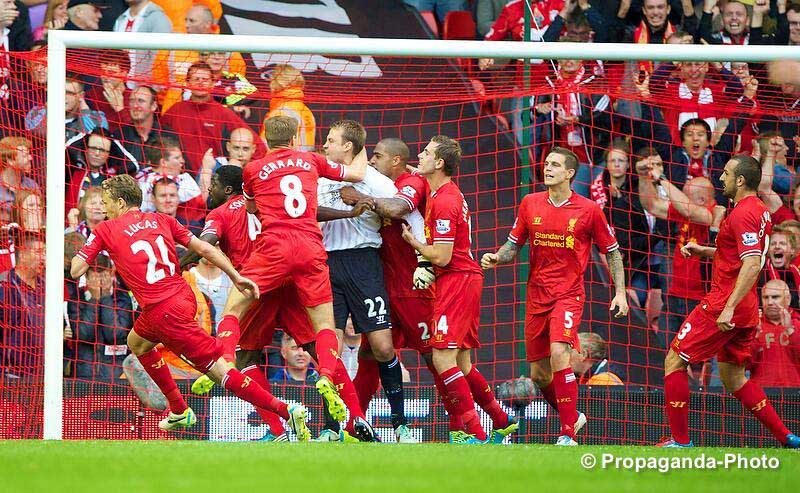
point(105, 316)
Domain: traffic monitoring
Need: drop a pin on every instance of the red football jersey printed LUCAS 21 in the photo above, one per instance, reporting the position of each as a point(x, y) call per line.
point(142, 246)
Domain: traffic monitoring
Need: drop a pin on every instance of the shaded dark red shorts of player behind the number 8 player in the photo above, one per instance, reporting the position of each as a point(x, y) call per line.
point(278, 308)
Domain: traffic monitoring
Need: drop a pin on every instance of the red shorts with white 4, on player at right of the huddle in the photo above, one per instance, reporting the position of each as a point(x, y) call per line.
point(457, 311)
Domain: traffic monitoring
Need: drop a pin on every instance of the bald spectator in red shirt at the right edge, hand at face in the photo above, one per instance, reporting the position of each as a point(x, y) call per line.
point(776, 350)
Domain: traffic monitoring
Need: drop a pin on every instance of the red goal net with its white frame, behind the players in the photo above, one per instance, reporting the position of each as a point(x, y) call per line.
point(691, 116)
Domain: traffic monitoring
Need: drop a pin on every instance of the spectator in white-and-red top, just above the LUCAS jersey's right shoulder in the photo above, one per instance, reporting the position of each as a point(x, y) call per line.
point(168, 162)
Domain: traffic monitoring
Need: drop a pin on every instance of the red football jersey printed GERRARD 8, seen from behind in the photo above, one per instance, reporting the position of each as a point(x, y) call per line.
point(284, 186)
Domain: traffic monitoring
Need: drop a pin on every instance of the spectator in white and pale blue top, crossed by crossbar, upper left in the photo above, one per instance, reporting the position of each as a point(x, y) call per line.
point(142, 16)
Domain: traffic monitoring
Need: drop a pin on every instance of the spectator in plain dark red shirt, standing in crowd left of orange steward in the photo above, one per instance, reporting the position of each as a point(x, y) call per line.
point(201, 123)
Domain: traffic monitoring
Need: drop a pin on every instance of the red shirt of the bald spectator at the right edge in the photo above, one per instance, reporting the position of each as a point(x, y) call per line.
point(776, 355)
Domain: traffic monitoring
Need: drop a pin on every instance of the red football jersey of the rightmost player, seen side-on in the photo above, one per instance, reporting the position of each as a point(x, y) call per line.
point(743, 233)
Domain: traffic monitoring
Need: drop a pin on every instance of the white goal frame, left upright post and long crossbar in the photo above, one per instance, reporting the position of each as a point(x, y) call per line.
point(59, 41)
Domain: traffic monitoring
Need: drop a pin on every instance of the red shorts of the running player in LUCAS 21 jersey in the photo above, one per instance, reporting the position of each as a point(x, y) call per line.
point(172, 323)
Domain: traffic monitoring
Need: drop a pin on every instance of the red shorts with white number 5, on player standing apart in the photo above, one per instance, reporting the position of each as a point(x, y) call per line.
point(559, 324)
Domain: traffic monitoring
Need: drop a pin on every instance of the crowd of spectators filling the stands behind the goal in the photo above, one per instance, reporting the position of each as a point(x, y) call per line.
point(652, 139)
